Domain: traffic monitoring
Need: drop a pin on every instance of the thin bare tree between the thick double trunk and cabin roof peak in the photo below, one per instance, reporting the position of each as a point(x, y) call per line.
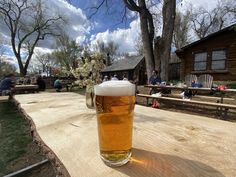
point(181, 29)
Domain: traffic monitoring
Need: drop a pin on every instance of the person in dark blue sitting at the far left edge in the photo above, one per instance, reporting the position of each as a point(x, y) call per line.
point(7, 84)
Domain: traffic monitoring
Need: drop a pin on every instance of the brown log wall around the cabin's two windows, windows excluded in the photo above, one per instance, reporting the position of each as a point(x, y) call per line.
point(227, 41)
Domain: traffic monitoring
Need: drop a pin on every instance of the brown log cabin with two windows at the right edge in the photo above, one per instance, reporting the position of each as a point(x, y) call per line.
point(215, 55)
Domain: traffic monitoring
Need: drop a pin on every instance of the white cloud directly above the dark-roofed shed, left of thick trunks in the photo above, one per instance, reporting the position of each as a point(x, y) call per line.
point(125, 38)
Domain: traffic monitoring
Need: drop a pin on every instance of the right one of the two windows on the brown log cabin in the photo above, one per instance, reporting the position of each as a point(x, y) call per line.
point(218, 59)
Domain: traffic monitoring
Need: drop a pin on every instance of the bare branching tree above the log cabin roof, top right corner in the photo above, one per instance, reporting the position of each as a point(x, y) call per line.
point(205, 21)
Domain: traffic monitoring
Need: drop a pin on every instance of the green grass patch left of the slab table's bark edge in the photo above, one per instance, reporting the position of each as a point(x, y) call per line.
point(14, 135)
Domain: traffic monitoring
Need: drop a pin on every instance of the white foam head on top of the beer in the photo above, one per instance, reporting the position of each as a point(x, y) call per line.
point(115, 88)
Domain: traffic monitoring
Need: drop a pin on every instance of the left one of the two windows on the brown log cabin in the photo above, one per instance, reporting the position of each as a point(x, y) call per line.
point(200, 61)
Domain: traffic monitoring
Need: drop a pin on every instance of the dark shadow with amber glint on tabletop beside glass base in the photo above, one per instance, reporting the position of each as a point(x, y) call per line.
point(151, 164)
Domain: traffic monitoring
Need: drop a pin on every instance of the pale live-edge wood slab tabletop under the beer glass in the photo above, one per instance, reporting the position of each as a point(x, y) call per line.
point(165, 144)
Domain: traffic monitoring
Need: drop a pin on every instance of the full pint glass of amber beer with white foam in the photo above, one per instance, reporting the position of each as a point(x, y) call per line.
point(114, 103)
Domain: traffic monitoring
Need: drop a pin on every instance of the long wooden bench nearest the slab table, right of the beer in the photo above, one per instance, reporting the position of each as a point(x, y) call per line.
point(218, 106)
